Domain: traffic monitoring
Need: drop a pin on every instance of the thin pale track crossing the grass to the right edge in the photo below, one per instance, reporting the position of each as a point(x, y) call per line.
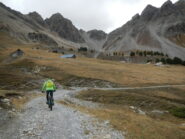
point(133, 88)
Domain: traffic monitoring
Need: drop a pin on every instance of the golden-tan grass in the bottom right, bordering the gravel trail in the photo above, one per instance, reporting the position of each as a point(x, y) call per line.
point(136, 126)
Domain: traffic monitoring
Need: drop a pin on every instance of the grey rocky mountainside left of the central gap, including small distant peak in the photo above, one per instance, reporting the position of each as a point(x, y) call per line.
point(54, 32)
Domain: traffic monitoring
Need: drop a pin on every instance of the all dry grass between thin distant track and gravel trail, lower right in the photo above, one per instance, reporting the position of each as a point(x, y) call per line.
point(151, 126)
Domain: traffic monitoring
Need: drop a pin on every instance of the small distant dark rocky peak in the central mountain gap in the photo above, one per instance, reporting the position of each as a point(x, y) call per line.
point(97, 34)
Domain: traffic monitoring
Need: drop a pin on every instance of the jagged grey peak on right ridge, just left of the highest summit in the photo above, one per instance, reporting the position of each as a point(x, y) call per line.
point(149, 12)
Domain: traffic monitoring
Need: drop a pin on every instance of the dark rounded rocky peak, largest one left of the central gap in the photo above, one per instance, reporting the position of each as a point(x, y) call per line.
point(64, 28)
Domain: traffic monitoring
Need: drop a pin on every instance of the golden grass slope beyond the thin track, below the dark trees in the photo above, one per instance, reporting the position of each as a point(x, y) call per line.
point(116, 72)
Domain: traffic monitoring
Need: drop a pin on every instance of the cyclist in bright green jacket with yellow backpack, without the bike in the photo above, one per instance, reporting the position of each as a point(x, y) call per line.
point(49, 87)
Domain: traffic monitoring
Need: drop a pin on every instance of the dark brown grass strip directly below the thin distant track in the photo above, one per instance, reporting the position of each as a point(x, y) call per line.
point(148, 99)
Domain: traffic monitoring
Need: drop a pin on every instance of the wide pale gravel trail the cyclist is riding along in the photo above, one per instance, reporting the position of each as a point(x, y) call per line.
point(38, 122)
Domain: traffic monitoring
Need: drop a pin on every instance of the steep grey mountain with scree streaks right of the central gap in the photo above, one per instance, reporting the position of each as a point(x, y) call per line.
point(158, 29)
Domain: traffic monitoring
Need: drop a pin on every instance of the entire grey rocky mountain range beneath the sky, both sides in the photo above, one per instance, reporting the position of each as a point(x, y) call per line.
point(157, 29)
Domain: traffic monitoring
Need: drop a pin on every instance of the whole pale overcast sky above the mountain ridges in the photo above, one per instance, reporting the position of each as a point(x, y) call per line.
point(106, 15)
